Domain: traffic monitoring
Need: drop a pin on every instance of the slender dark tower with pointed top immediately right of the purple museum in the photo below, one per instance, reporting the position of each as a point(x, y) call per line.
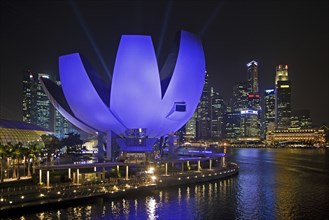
point(203, 113)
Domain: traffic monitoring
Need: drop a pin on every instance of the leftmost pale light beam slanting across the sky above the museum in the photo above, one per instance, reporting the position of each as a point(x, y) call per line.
point(89, 37)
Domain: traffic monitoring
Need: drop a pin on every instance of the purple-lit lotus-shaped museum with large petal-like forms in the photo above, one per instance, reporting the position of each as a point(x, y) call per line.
point(141, 103)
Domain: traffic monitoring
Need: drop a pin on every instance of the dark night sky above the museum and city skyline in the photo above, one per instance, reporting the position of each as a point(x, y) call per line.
point(35, 33)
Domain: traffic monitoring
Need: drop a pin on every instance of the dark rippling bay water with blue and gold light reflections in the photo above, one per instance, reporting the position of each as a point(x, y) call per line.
point(271, 184)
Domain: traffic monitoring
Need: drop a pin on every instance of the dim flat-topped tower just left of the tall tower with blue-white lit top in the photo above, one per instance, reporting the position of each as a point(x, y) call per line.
point(240, 96)
